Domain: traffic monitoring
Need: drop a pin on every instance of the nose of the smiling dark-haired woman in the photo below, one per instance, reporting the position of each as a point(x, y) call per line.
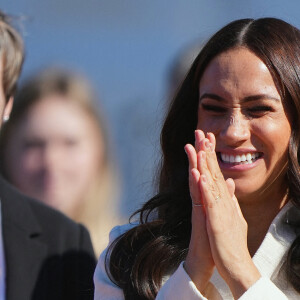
point(235, 130)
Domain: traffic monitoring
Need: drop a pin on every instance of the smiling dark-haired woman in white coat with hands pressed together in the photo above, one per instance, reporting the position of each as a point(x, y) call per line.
point(225, 222)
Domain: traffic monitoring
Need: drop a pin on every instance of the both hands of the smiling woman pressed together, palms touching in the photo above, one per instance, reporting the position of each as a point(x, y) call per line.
point(219, 230)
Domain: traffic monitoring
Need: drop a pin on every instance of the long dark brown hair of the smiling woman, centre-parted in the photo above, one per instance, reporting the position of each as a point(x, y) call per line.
point(138, 260)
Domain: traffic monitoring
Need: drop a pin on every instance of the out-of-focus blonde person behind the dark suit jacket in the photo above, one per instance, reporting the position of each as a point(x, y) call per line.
point(55, 148)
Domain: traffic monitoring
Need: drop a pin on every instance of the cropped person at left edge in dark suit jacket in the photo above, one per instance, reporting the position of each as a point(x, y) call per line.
point(43, 254)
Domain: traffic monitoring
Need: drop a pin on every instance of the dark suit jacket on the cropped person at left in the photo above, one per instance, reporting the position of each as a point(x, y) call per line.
point(47, 255)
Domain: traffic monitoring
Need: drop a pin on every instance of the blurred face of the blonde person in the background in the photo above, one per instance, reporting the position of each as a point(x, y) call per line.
point(55, 153)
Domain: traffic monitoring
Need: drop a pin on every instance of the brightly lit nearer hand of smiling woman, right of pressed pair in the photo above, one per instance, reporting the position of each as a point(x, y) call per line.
point(226, 226)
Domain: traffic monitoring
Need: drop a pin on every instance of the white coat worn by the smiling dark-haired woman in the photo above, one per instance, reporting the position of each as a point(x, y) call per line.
point(269, 260)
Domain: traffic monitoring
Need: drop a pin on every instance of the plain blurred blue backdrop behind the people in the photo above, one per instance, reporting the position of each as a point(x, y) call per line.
point(126, 48)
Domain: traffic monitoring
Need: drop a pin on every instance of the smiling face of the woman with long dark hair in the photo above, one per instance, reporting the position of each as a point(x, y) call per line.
point(239, 103)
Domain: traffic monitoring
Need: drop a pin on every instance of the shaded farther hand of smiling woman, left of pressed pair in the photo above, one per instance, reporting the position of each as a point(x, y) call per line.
point(199, 263)
